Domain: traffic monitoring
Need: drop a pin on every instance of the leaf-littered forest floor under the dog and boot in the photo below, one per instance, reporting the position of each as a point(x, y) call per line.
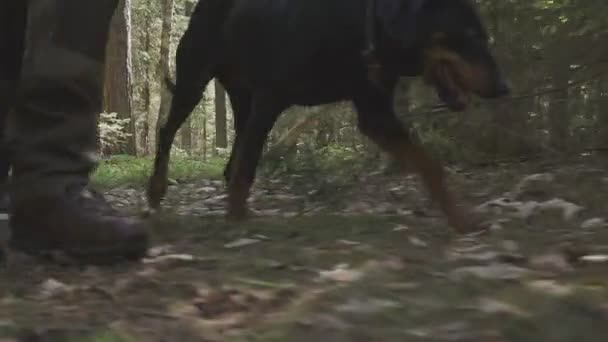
point(335, 258)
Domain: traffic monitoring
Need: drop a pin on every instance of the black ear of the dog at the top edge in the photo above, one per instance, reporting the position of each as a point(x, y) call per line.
point(399, 18)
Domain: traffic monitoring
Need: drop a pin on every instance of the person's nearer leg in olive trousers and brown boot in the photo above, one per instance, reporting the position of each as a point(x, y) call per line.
point(53, 137)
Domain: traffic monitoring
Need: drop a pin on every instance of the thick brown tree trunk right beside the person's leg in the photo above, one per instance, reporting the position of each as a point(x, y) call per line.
point(118, 74)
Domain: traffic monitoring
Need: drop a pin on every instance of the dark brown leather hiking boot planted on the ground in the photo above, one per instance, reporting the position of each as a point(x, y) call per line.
point(80, 224)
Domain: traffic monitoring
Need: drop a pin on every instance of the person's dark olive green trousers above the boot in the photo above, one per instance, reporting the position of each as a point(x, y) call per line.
point(51, 131)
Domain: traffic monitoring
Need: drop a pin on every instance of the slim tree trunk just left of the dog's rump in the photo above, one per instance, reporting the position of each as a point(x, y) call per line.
point(164, 65)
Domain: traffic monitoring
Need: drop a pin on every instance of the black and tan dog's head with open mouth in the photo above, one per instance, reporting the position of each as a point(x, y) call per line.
point(452, 44)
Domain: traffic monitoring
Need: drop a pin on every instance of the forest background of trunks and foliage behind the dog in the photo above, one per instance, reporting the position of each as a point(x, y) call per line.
point(553, 53)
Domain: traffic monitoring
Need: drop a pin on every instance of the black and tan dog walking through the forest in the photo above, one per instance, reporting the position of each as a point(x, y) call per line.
point(272, 54)
